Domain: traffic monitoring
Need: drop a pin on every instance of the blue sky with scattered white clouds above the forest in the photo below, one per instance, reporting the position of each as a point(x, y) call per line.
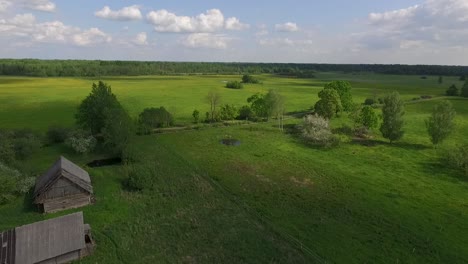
point(296, 31)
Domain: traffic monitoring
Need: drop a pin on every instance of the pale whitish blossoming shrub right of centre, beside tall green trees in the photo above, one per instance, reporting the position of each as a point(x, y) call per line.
point(316, 130)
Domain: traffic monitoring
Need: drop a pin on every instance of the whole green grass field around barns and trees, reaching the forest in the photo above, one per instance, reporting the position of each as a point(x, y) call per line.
point(270, 200)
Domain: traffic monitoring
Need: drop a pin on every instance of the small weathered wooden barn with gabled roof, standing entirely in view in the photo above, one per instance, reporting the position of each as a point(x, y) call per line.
point(63, 186)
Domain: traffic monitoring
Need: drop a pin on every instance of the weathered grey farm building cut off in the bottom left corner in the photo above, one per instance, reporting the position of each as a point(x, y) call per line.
point(58, 240)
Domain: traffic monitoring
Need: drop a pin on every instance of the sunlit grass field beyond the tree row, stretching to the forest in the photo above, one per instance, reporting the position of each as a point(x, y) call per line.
point(41, 102)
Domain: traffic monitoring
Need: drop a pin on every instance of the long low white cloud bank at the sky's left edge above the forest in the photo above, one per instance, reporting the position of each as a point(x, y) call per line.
point(26, 28)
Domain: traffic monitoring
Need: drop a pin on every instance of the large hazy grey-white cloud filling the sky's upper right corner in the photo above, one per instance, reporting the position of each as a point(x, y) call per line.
point(440, 23)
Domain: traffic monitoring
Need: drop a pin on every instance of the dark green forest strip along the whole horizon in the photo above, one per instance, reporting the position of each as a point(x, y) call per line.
point(96, 68)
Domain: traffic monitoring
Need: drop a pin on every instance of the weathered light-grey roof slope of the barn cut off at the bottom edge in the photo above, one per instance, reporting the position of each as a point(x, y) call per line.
point(50, 238)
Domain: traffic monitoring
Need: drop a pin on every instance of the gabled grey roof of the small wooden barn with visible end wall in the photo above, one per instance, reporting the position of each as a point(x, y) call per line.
point(63, 168)
